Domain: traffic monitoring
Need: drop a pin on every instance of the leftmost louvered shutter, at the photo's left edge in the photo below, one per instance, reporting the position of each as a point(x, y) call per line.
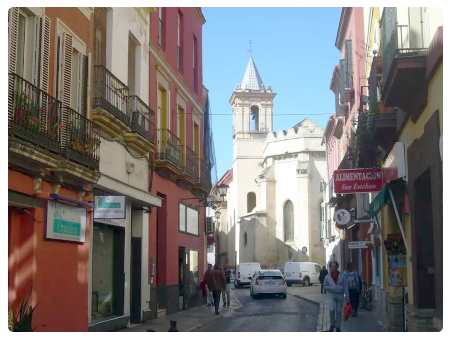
point(13, 26)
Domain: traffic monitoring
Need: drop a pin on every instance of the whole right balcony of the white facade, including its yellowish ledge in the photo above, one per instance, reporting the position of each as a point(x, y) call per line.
point(141, 135)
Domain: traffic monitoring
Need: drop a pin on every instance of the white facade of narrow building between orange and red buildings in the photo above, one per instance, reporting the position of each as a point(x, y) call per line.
point(123, 172)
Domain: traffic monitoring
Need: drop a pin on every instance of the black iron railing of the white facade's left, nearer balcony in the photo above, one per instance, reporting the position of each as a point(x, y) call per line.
point(110, 94)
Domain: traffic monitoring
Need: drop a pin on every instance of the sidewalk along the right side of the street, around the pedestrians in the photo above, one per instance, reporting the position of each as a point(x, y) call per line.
point(365, 322)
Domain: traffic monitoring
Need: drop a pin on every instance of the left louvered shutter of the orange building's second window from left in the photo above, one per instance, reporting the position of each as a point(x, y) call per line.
point(66, 82)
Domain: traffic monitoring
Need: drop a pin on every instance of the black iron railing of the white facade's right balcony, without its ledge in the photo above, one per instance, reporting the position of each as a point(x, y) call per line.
point(141, 118)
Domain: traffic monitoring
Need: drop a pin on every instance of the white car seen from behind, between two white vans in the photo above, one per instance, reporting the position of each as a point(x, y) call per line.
point(268, 282)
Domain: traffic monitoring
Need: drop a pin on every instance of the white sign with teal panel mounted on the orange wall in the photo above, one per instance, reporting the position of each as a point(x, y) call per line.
point(65, 222)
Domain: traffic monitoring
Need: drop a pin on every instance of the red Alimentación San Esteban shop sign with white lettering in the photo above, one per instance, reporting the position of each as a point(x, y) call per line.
point(350, 181)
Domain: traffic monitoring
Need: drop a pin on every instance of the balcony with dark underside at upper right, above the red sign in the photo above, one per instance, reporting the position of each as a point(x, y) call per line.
point(403, 62)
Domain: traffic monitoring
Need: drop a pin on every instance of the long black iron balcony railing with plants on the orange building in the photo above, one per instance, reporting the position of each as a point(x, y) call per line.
point(38, 118)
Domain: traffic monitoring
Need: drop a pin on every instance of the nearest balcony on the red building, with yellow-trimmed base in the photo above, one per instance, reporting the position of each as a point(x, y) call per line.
point(169, 154)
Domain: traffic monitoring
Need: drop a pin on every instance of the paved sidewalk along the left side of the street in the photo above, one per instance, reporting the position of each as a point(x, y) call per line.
point(187, 320)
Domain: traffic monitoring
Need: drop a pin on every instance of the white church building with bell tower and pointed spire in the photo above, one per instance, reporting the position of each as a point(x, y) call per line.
point(272, 209)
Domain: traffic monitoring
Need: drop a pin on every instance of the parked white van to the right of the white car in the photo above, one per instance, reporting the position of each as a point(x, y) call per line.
point(305, 273)
